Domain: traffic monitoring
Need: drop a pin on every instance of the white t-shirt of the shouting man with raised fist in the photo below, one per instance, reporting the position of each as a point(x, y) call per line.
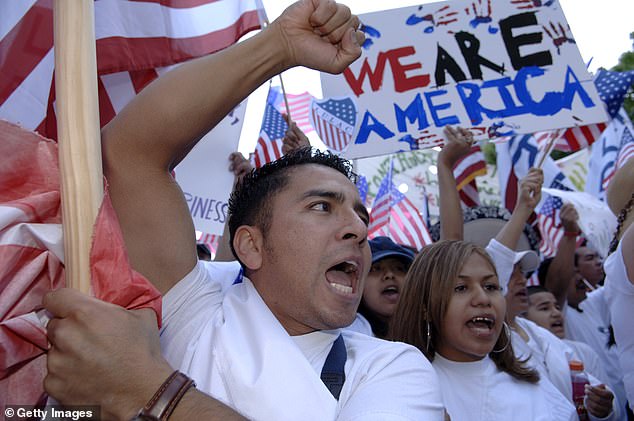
point(226, 339)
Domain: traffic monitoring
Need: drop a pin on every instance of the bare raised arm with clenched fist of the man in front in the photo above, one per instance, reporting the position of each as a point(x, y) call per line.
point(161, 125)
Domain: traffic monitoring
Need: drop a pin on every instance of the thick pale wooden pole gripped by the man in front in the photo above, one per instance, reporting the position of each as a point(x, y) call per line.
point(78, 134)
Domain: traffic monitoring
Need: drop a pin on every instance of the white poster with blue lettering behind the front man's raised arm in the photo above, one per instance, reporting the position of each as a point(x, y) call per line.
point(204, 174)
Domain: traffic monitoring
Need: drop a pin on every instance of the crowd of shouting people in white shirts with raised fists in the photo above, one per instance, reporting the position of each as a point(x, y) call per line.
point(307, 318)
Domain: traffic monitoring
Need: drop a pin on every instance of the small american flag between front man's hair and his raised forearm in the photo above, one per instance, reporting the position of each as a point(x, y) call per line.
point(273, 130)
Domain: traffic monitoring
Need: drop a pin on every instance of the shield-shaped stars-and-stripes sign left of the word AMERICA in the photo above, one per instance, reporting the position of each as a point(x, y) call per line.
point(334, 121)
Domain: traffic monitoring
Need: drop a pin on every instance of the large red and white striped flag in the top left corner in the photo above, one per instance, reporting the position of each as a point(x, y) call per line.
point(136, 42)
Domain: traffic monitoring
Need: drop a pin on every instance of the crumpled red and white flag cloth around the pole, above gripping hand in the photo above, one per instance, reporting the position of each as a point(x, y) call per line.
point(32, 256)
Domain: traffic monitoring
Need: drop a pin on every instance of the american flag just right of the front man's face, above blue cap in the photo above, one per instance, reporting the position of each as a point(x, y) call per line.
point(395, 216)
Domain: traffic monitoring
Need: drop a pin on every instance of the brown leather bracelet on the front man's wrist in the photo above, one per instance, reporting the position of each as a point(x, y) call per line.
point(162, 404)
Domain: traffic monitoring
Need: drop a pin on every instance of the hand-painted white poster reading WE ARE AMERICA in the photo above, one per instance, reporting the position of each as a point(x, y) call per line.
point(499, 68)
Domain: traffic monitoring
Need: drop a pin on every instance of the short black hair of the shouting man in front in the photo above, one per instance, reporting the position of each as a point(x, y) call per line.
point(251, 200)
